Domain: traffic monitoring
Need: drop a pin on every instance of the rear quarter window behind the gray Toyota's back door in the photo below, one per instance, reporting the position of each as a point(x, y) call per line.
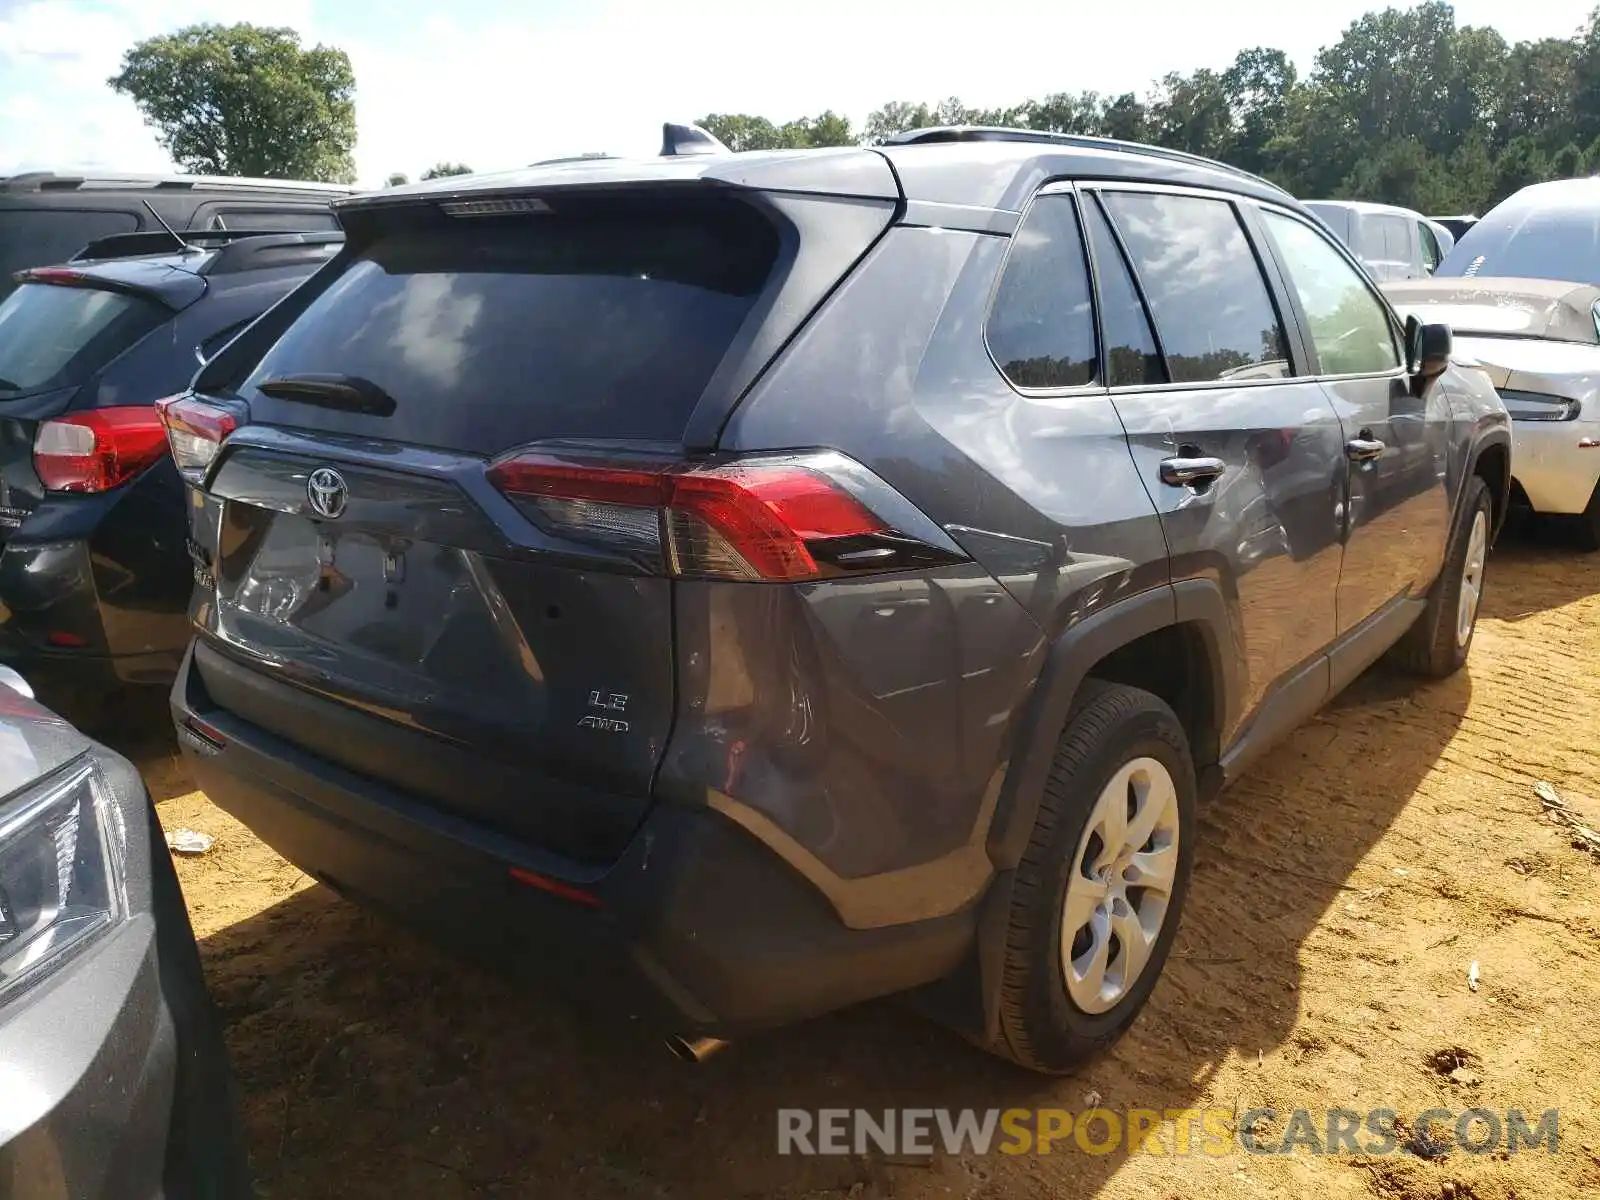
point(1042, 326)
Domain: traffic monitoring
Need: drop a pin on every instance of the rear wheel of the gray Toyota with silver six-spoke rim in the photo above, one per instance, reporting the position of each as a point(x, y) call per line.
point(1063, 999)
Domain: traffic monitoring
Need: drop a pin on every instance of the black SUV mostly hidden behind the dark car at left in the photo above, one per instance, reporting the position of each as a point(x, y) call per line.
point(46, 217)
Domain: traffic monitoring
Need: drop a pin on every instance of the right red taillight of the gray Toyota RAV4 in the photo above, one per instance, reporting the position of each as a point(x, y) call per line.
point(767, 519)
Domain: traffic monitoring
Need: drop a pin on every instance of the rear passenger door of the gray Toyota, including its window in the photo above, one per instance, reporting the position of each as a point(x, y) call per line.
point(1242, 454)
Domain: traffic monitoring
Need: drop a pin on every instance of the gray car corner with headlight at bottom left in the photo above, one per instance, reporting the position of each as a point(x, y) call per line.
point(114, 1082)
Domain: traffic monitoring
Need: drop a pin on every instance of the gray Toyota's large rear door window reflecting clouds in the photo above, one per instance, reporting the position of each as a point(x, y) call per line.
point(1206, 290)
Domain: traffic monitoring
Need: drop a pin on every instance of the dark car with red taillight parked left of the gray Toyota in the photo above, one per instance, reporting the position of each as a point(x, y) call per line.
point(95, 570)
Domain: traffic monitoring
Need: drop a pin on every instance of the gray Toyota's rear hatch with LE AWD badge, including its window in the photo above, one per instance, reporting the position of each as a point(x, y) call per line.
point(378, 602)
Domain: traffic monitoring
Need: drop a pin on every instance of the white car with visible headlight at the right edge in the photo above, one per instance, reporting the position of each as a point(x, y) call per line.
point(1540, 345)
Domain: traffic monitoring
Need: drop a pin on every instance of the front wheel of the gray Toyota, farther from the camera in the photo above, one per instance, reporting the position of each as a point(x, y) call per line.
point(1439, 644)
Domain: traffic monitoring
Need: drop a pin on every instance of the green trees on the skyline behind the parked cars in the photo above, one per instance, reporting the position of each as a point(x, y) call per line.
point(1407, 108)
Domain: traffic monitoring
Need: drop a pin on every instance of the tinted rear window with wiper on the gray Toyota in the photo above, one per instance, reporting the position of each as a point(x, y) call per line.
point(494, 332)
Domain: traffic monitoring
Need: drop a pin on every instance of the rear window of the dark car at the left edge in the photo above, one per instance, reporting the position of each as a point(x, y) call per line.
point(55, 337)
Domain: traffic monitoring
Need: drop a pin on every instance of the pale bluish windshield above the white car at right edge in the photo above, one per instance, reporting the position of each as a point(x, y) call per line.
point(1530, 242)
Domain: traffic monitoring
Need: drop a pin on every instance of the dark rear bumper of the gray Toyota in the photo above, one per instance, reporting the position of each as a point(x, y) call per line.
point(697, 929)
